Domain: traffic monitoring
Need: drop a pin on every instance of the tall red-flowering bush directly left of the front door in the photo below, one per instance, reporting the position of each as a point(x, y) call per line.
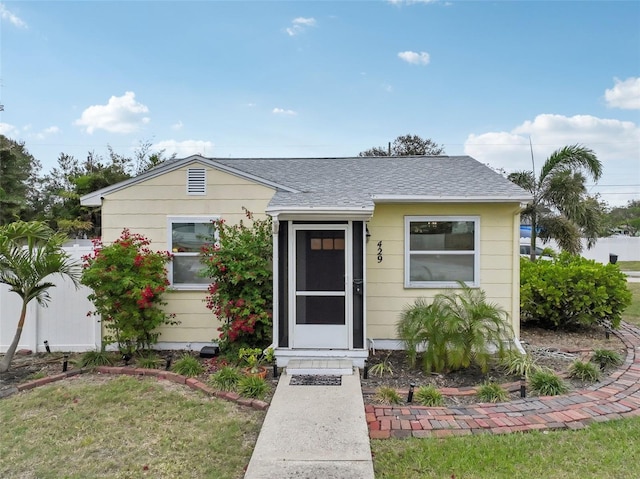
point(241, 295)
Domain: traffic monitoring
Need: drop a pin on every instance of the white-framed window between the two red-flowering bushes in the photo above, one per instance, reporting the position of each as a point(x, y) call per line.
point(187, 235)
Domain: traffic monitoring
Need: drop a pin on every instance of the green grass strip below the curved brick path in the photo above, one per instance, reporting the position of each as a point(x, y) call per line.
point(603, 450)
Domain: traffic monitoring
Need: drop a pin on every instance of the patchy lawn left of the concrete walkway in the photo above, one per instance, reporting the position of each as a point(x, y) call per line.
point(123, 427)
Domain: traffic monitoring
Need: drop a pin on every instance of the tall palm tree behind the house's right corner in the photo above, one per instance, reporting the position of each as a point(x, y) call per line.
point(561, 207)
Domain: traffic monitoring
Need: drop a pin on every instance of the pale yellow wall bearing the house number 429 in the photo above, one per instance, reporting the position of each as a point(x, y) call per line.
point(499, 260)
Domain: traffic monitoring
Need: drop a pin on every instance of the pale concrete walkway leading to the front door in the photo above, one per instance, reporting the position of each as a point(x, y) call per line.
point(314, 432)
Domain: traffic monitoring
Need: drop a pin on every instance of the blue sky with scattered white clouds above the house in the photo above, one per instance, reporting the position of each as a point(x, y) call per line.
point(322, 78)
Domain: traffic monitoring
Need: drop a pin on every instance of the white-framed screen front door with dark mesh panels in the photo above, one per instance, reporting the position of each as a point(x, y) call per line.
point(320, 298)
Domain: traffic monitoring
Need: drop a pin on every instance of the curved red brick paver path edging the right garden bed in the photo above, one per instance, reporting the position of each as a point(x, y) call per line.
point(615, 397)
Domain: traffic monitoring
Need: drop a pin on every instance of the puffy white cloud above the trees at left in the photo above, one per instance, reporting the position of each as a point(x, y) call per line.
point(121, 114)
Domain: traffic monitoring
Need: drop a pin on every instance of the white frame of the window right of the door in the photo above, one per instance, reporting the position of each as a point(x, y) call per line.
point(441, 284)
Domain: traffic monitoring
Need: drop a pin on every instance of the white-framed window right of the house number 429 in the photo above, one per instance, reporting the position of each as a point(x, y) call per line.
point(440, 251)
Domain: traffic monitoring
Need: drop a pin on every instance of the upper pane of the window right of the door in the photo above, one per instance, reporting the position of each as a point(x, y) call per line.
point(441, 235)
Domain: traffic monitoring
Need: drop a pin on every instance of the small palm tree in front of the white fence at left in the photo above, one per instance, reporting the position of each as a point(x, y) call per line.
point(30, 252)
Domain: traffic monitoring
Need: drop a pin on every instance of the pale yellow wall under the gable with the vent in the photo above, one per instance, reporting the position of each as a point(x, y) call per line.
point(144, 207)
